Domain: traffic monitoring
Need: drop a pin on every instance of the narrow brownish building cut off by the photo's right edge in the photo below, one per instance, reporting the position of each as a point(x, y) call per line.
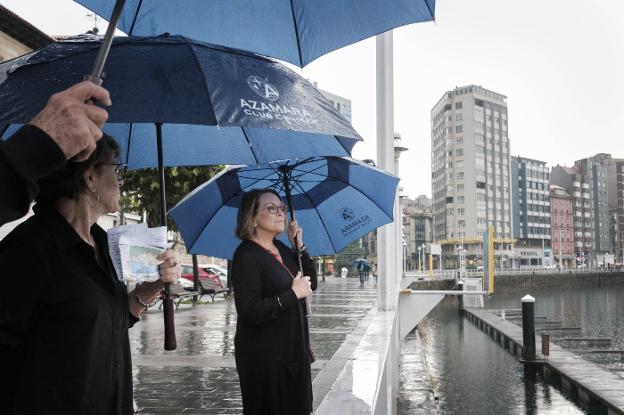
point(615, 190)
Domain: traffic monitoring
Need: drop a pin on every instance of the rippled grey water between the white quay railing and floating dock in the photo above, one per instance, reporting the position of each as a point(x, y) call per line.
point(475, 376)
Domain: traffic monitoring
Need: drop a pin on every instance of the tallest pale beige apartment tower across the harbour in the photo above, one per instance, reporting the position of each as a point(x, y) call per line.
point(470, 164)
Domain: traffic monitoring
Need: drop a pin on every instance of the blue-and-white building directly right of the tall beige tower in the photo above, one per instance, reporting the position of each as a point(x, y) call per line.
point(531, 207)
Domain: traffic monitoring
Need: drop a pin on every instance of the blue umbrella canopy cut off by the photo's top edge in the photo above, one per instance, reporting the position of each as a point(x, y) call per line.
point(296, 31)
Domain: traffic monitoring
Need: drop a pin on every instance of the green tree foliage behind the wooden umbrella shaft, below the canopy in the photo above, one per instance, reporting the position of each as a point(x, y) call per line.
point(141, 190)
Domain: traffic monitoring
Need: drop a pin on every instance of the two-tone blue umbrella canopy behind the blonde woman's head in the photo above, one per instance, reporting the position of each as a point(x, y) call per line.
point(337, 200)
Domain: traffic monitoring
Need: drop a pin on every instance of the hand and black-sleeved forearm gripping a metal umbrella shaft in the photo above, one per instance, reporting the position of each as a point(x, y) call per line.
point(68, 127)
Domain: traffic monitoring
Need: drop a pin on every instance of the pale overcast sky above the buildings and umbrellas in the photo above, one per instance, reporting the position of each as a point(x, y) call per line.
point(559, 62)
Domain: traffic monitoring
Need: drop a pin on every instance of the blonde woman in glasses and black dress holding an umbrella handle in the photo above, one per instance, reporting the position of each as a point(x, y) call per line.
point(272, 348)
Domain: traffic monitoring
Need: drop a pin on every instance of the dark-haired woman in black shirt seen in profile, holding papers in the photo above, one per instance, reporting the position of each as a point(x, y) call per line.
point(64, 312)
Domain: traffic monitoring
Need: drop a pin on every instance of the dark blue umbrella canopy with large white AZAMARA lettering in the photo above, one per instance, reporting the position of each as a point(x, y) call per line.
point(217, 105)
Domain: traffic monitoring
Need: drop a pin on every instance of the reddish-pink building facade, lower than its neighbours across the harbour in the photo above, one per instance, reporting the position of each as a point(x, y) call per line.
point(562, 227)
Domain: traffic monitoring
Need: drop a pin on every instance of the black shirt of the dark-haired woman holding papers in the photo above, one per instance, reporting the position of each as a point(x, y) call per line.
point(64, 321)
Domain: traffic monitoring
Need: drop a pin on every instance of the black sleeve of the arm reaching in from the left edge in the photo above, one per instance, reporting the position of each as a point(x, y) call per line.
point(27, 156)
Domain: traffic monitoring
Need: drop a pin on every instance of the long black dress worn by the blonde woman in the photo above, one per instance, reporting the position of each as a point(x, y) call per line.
point(272, 340)
